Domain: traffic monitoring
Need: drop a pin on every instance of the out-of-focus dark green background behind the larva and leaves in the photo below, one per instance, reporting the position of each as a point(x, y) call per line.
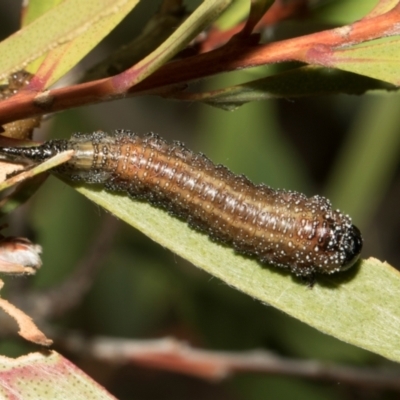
point(343, 147)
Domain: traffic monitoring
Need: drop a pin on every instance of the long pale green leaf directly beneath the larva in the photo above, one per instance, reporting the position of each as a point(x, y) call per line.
point(360, 306)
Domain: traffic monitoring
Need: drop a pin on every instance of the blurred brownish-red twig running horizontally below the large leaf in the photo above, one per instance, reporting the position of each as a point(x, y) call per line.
point(173, 355)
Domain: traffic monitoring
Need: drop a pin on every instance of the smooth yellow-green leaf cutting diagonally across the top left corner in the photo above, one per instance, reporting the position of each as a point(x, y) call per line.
point(61, 24)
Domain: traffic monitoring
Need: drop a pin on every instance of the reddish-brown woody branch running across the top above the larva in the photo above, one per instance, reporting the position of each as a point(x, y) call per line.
point(317, 48)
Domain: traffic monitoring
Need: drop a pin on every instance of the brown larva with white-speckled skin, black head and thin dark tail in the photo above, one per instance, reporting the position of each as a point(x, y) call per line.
point(278, 227)
